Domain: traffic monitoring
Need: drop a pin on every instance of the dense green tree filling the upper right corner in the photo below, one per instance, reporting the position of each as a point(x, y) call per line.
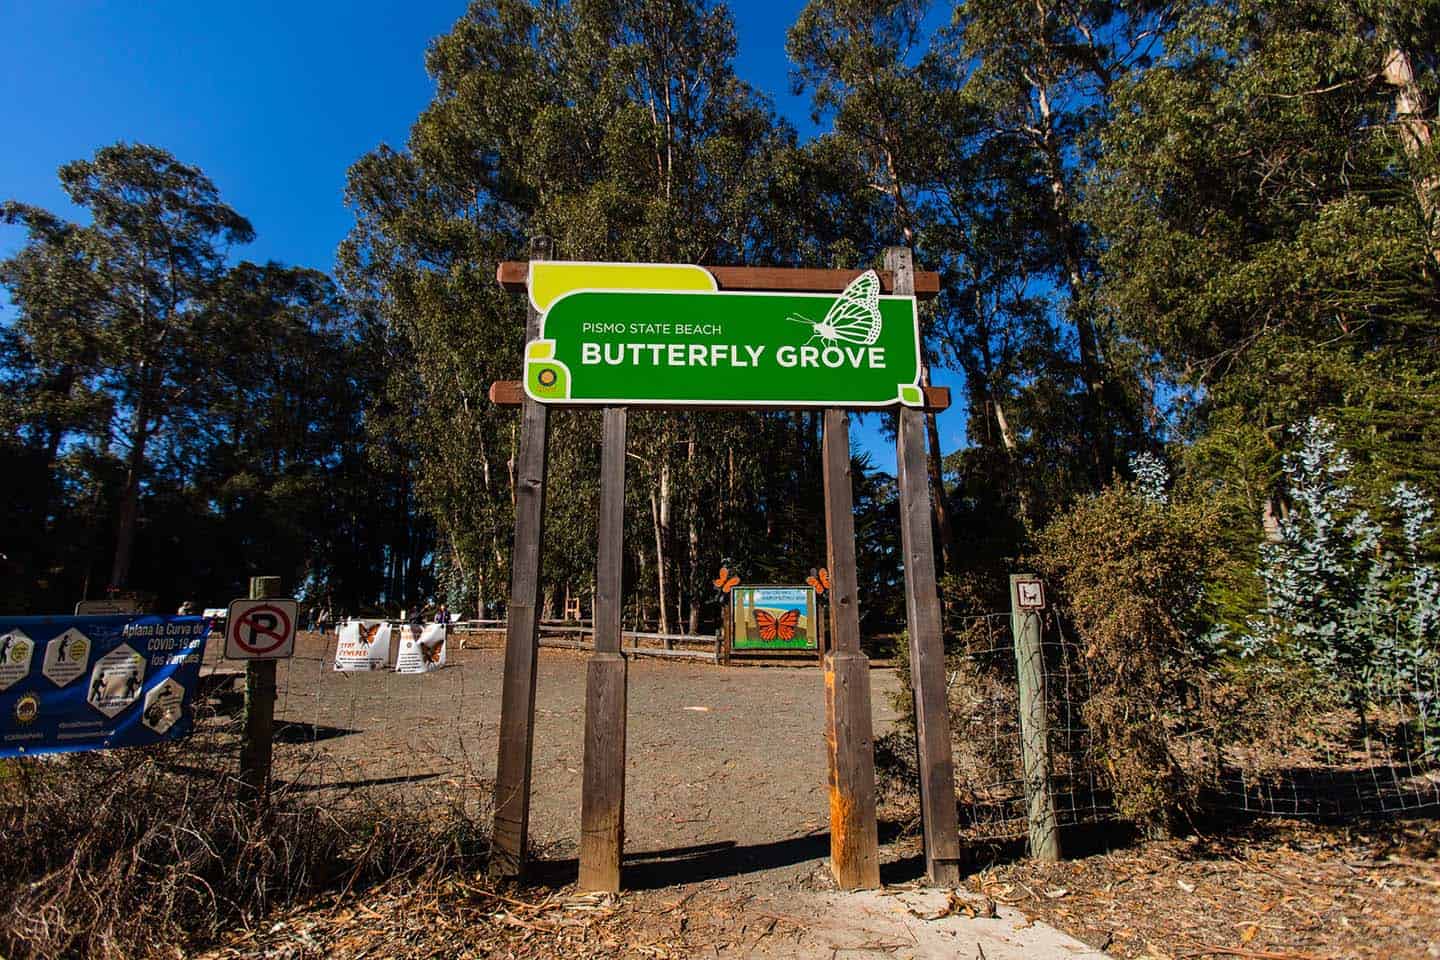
point(1262, 198)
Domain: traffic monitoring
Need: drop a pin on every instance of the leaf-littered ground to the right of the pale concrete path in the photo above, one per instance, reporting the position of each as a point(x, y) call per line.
point(1278, 890)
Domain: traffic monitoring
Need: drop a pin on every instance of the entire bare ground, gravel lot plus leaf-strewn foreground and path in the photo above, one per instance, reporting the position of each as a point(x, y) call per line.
point(726, 841)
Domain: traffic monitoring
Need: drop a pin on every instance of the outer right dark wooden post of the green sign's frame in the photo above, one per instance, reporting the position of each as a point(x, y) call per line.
point(922, 599)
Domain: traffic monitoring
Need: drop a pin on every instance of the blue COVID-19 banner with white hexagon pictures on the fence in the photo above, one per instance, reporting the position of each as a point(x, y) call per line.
point(93, 683)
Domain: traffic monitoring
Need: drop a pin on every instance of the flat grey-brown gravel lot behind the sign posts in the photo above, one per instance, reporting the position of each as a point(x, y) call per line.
point(726, 766)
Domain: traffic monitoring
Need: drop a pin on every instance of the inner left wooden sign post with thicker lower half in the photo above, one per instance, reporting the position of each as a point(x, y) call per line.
point(603, 792)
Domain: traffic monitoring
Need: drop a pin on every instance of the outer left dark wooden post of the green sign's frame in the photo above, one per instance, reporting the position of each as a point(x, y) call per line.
point(518, 700)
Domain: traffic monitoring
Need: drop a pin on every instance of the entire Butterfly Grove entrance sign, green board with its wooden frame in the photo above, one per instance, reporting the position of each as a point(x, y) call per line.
point(623, 336)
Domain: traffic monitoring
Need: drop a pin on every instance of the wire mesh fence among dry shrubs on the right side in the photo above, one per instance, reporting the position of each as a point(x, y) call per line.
point(1315, 761)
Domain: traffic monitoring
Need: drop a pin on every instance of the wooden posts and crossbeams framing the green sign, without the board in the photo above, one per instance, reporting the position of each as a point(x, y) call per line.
point(849, 730)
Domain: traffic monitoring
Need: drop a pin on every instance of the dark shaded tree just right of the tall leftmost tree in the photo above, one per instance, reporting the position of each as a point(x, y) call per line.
point(284, 457)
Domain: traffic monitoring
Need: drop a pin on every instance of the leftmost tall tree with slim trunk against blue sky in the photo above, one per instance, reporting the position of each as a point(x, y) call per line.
point(129, 300)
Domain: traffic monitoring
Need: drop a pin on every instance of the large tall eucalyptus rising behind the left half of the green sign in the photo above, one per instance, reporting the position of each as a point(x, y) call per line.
point(618, 130)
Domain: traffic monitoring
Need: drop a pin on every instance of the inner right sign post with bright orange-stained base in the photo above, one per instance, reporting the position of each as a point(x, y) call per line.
point(855, 844)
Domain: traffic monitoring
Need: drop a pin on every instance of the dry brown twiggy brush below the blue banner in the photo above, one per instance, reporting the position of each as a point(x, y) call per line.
point(140, 851)
